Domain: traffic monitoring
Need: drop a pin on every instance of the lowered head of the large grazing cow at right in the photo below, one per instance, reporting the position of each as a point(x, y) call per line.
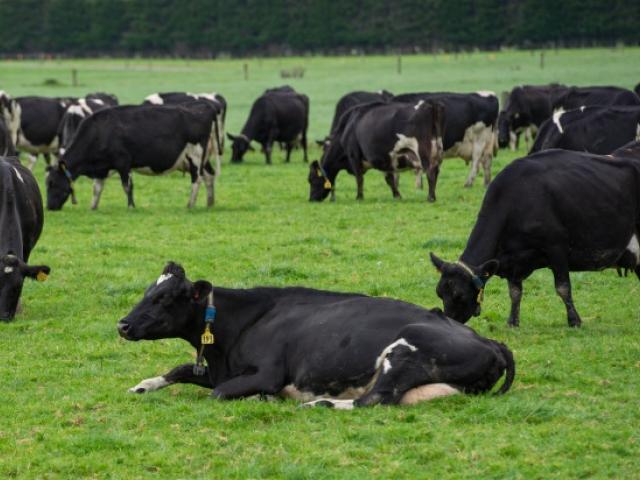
point(461, 287)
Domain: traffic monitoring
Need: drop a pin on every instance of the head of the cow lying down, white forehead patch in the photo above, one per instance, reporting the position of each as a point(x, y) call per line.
point(167, 307)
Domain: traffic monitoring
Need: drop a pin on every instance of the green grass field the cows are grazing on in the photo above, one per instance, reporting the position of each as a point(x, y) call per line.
point(64, 372)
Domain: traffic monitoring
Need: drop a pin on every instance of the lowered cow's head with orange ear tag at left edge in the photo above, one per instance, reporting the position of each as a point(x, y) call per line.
point(13, 271)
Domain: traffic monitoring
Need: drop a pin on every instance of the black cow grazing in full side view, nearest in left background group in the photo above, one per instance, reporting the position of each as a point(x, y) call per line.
point(151, 139)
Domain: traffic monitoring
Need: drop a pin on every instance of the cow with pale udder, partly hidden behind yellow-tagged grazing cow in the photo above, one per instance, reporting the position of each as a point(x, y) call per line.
point(469, 128)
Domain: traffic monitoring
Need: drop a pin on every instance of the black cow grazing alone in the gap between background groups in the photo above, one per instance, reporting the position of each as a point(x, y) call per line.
point(279, 115)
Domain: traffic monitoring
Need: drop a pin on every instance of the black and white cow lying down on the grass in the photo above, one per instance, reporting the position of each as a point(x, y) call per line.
point(327, 348)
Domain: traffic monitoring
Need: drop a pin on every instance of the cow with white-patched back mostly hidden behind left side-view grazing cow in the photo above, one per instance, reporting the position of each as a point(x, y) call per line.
point(218, 102)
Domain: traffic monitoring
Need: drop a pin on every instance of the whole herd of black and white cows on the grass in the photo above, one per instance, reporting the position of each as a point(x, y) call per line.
point(572, 204)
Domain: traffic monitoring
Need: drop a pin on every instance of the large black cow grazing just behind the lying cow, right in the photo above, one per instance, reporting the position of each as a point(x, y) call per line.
point(558, 209)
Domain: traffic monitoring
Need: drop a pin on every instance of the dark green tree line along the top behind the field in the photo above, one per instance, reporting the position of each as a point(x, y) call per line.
point(247, 27)
